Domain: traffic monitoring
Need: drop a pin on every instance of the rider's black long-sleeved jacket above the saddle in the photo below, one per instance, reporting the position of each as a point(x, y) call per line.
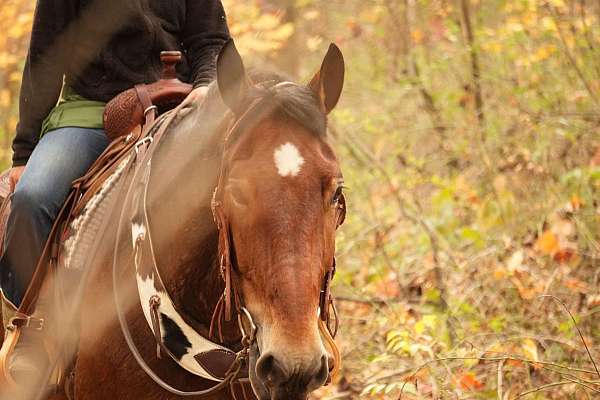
point(104, 47)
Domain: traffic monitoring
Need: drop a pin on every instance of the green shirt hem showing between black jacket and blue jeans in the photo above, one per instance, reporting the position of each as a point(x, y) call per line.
point(74, 110)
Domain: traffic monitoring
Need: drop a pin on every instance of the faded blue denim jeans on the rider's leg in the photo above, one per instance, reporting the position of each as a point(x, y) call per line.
point(60, 157)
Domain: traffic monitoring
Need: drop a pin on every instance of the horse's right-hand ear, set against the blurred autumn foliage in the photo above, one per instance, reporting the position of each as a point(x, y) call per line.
point(328, 82)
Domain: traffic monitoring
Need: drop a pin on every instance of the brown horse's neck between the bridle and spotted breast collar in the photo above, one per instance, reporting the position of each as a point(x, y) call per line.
point(184, 174)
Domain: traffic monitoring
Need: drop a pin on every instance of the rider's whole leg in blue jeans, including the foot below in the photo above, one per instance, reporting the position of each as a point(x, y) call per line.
point(60, 157)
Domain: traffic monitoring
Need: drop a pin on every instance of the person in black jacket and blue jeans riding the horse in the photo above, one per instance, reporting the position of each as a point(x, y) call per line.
point(83, 53)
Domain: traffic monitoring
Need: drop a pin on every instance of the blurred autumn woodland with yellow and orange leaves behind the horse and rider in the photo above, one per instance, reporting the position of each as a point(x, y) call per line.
point(468, 132)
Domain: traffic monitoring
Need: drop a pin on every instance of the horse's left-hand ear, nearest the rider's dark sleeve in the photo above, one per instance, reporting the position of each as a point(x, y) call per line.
point(231, 76)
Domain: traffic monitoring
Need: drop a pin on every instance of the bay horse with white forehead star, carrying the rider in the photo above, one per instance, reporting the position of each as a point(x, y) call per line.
point(279, 186)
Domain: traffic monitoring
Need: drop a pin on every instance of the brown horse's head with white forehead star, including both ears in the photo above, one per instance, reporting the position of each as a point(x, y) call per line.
point(278, 203)
